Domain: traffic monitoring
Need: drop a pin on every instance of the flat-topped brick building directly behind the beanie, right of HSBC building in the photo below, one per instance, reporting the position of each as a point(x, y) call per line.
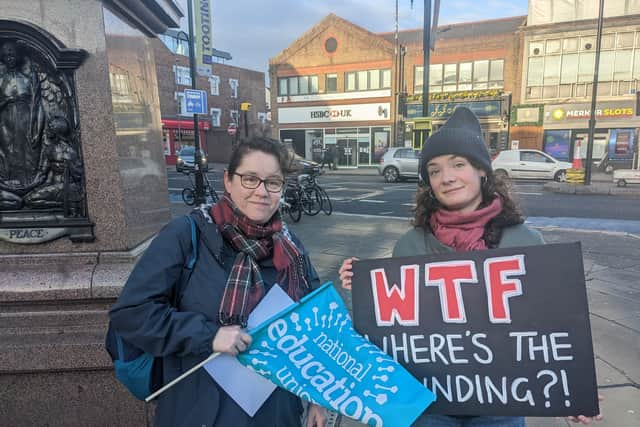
point(476, 64)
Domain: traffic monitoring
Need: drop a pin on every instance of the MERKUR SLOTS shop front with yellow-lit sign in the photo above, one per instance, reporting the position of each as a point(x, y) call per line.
point(566, 129)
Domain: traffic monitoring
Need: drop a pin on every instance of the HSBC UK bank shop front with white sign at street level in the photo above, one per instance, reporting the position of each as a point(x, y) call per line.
point(331, 128)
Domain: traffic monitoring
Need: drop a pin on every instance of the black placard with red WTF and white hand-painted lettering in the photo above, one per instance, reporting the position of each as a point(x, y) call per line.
point(495, 332)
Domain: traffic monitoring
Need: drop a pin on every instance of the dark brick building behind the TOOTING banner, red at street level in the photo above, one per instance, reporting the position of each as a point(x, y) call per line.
point(226, 89)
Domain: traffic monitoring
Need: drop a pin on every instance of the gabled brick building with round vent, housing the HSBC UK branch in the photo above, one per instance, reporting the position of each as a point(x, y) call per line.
point(332, 88)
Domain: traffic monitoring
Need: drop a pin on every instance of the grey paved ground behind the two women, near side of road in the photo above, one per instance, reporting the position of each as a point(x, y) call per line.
point(611, 267)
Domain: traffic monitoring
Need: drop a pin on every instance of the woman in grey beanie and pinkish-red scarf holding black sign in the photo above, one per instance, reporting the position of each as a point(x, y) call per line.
point(462, 206)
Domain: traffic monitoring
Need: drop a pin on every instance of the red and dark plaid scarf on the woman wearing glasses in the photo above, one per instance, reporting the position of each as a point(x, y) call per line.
point(254, 242)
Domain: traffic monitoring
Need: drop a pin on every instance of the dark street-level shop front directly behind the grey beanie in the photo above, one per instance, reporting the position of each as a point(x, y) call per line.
point(490, 112)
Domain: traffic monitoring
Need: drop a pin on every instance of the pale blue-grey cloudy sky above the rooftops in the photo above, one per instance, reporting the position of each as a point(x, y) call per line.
point(255, 30)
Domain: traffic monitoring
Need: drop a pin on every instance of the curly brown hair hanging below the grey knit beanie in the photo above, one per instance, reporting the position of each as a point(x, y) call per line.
point(511, 214)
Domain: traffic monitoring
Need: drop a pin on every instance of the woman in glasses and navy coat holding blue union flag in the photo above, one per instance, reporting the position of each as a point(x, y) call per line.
point(244, 249)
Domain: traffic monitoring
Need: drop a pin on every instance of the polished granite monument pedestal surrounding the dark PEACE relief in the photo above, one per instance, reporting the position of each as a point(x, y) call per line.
point(54, 295)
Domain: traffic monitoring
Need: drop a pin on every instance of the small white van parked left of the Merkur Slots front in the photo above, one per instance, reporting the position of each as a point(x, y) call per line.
point(533, 164)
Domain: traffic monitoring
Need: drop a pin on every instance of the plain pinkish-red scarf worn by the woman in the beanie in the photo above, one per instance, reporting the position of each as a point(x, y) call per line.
point(463, 232)
